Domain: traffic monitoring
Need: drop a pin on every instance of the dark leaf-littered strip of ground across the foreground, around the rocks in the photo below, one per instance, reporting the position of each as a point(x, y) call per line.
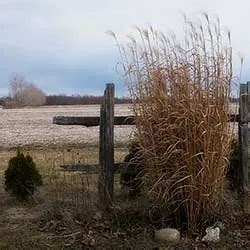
point(42, 224)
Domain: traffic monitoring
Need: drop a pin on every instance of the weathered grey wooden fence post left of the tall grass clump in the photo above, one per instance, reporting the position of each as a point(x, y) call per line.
point(106, 148)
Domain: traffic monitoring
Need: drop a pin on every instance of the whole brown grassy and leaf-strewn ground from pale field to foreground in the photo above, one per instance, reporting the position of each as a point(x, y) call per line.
point(64, 215)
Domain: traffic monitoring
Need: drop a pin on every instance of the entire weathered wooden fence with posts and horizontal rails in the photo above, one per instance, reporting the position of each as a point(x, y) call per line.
point(107, 167)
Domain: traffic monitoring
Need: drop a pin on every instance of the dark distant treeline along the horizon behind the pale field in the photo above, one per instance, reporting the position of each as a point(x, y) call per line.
point(80, 100)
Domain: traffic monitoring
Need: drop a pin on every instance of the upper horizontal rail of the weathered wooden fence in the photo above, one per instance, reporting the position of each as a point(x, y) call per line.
point(90, 121)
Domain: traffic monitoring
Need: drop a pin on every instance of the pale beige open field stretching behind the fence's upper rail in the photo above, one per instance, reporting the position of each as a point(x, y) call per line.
point(33, 126)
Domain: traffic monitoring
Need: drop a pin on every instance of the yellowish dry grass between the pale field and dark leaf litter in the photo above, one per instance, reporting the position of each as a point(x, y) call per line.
point(73, 190)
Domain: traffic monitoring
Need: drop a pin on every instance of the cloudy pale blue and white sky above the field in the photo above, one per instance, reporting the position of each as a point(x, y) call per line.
point(62, 45)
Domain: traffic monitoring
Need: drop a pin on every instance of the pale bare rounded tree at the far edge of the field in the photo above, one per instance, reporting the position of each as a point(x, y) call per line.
point(25, 93)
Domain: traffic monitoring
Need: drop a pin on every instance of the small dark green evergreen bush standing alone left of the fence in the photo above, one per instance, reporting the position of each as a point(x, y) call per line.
point(22, 177)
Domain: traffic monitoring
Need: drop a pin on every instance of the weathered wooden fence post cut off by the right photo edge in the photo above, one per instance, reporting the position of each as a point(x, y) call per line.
point(244, 144)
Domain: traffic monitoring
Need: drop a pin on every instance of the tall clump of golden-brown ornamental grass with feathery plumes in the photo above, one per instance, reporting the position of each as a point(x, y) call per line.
point(180, 94)
